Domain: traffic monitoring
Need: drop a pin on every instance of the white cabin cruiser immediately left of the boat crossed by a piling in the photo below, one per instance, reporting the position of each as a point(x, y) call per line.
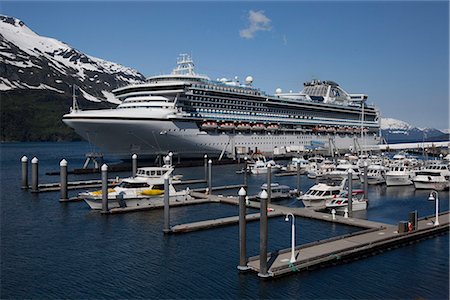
point(326, 189)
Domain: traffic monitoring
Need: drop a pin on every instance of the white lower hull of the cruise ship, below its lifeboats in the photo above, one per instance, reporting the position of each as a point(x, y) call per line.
point(156, 134)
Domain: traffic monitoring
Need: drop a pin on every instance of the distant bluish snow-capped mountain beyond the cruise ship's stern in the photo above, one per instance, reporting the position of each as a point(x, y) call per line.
point(394, 131)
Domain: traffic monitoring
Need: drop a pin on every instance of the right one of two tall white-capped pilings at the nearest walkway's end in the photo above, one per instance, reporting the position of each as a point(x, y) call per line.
point(263, 235)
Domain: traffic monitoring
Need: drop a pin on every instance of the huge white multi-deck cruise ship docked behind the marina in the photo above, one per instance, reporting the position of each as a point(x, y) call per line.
point(190, 115)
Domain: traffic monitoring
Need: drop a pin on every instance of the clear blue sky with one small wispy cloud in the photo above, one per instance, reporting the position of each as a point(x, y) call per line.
point(396, 52)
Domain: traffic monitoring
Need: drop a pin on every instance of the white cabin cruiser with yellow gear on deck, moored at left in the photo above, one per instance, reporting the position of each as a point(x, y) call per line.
point(144, 189)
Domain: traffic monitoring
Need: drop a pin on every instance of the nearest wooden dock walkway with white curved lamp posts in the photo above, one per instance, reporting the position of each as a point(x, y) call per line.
point(351, 246)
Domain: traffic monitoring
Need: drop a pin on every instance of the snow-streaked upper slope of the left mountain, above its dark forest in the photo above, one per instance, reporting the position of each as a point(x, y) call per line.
point(30, 61)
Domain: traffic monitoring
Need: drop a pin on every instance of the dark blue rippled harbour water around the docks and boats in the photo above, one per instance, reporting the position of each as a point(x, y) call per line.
point(52, 250)
